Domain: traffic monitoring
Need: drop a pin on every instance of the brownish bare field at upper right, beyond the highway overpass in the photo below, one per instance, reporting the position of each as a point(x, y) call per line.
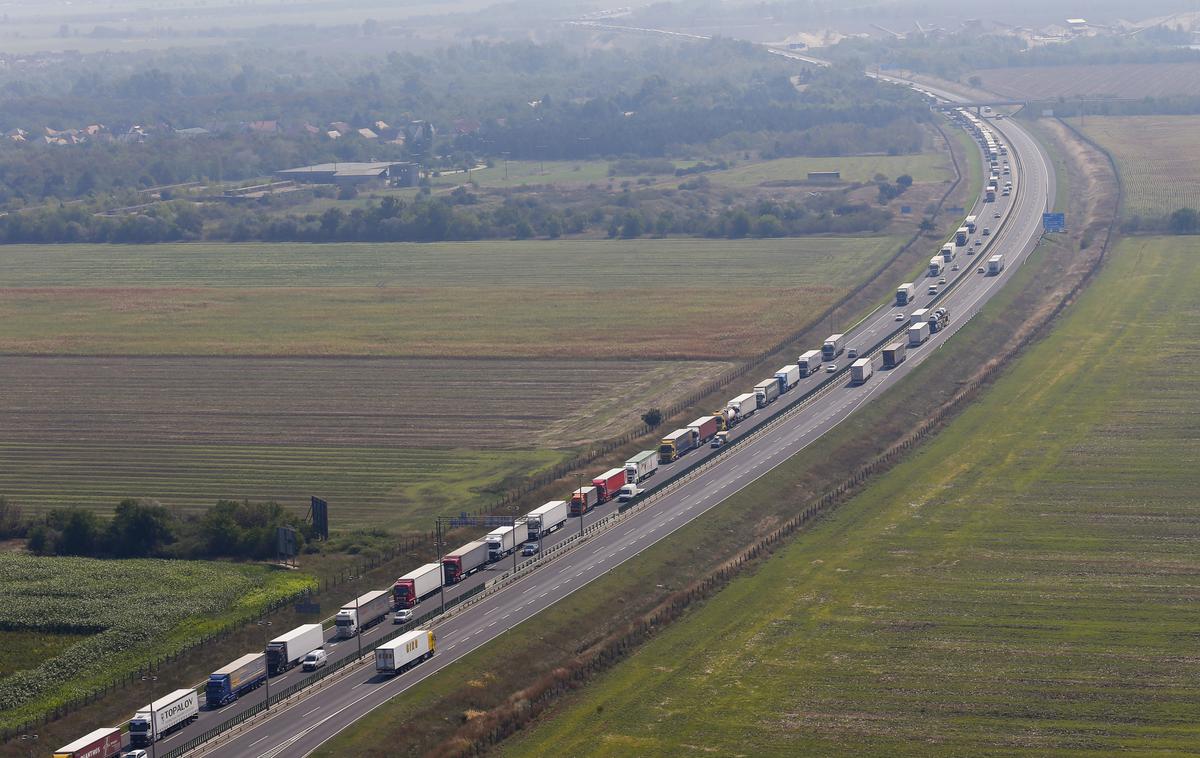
point(1133, 81)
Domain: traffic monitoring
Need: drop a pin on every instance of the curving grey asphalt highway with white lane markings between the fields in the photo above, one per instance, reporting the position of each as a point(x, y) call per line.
point(299, 726)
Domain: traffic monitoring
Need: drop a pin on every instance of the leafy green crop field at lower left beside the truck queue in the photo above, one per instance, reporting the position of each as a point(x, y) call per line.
point(122, 618)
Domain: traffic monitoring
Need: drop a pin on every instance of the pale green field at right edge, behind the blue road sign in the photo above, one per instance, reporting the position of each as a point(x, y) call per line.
point(1159, 159)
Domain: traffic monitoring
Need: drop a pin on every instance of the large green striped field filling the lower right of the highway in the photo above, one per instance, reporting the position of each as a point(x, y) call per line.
point(1025, 585)
